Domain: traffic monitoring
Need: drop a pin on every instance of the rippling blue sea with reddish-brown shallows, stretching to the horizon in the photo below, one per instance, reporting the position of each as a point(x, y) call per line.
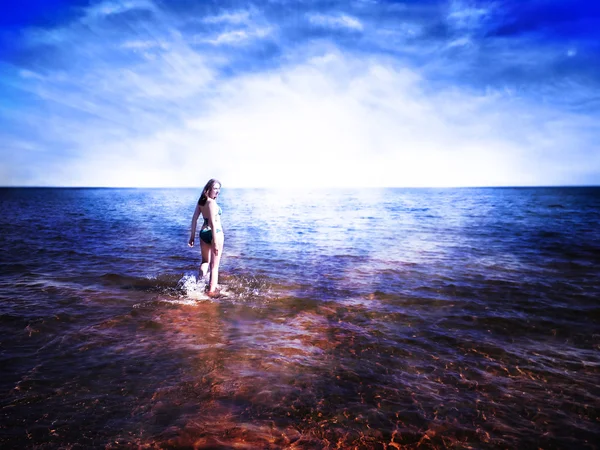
point(376, 318)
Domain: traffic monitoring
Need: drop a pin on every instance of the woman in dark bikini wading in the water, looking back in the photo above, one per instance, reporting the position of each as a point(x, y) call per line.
point(211, 233)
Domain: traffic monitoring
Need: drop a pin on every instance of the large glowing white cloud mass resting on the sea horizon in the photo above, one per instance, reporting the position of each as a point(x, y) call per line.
point(342, 122)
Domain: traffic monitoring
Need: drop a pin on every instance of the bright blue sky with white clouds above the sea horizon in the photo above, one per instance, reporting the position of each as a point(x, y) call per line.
point(285, 93)
